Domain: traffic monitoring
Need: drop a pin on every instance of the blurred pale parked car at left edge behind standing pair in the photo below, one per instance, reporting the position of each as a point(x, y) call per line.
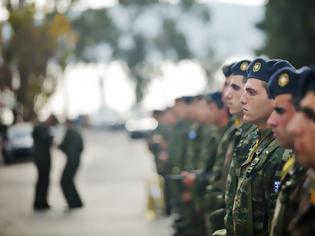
point(18, 143)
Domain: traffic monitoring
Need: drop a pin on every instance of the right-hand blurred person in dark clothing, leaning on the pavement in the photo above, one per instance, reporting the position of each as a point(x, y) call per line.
point(72, 146)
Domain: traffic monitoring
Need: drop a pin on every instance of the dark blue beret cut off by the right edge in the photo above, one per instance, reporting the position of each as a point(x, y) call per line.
point(307, 83)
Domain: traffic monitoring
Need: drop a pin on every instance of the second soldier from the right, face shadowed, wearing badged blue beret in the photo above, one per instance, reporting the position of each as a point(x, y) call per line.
point(282, 88)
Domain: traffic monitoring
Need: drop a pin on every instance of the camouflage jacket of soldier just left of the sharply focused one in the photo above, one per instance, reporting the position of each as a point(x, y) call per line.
point(244, 139)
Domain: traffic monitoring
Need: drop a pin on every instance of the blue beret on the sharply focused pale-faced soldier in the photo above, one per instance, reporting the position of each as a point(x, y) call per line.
point(262, 69)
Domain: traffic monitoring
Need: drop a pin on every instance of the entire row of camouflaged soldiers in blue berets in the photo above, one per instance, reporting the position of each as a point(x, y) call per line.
point(241, 161)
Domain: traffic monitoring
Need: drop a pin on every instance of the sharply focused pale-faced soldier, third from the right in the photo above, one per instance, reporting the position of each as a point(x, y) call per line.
point(258, 184)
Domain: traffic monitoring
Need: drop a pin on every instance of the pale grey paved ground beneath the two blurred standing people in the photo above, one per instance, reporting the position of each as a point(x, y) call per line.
point(112, 184)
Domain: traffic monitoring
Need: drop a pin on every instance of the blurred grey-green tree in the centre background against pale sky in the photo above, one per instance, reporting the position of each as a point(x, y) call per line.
point(142, 53)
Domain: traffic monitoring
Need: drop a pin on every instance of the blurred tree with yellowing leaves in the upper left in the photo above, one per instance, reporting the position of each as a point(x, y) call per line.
point(32, 46)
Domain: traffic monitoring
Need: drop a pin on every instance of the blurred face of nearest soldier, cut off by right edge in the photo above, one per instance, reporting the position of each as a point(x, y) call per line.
point(302, 128)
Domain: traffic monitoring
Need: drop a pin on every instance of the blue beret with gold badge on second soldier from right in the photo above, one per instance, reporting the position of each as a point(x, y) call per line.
point(284, 81)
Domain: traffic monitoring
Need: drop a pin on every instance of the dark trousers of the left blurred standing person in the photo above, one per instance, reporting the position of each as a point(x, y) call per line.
point(41, 188)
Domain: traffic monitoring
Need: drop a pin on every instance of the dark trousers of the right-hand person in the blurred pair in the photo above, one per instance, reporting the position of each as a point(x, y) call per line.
point(67, 183)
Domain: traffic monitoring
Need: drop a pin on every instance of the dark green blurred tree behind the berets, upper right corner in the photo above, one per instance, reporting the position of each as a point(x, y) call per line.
point(290, 31)
